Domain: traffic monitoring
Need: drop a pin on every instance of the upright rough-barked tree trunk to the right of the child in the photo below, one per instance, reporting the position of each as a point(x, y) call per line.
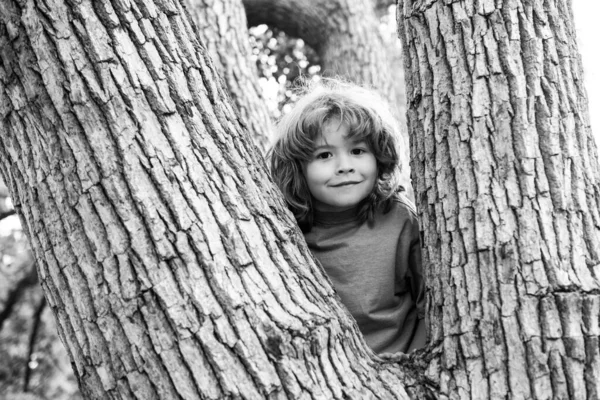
point(506, 173)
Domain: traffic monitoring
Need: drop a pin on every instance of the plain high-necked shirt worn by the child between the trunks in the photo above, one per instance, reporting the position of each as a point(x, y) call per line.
point(375, 267)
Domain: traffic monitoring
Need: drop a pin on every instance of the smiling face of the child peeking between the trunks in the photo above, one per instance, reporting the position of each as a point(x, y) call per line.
point(341, 172)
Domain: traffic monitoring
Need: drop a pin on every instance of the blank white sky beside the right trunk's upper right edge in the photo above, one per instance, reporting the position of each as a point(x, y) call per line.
point(587, 29)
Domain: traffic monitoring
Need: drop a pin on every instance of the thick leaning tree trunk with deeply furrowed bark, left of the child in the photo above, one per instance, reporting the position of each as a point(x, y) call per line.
point(166, 254)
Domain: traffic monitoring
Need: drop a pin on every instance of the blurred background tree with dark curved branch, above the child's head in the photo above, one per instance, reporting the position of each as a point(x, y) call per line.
point(344, 33)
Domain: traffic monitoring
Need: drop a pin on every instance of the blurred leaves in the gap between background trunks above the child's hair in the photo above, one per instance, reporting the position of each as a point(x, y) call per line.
point(281, 60)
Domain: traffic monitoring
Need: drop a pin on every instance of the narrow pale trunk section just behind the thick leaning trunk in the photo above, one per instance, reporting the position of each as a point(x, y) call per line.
point(223, 30)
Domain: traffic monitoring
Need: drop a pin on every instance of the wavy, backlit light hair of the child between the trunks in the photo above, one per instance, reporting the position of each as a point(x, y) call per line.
point(367, 117)
